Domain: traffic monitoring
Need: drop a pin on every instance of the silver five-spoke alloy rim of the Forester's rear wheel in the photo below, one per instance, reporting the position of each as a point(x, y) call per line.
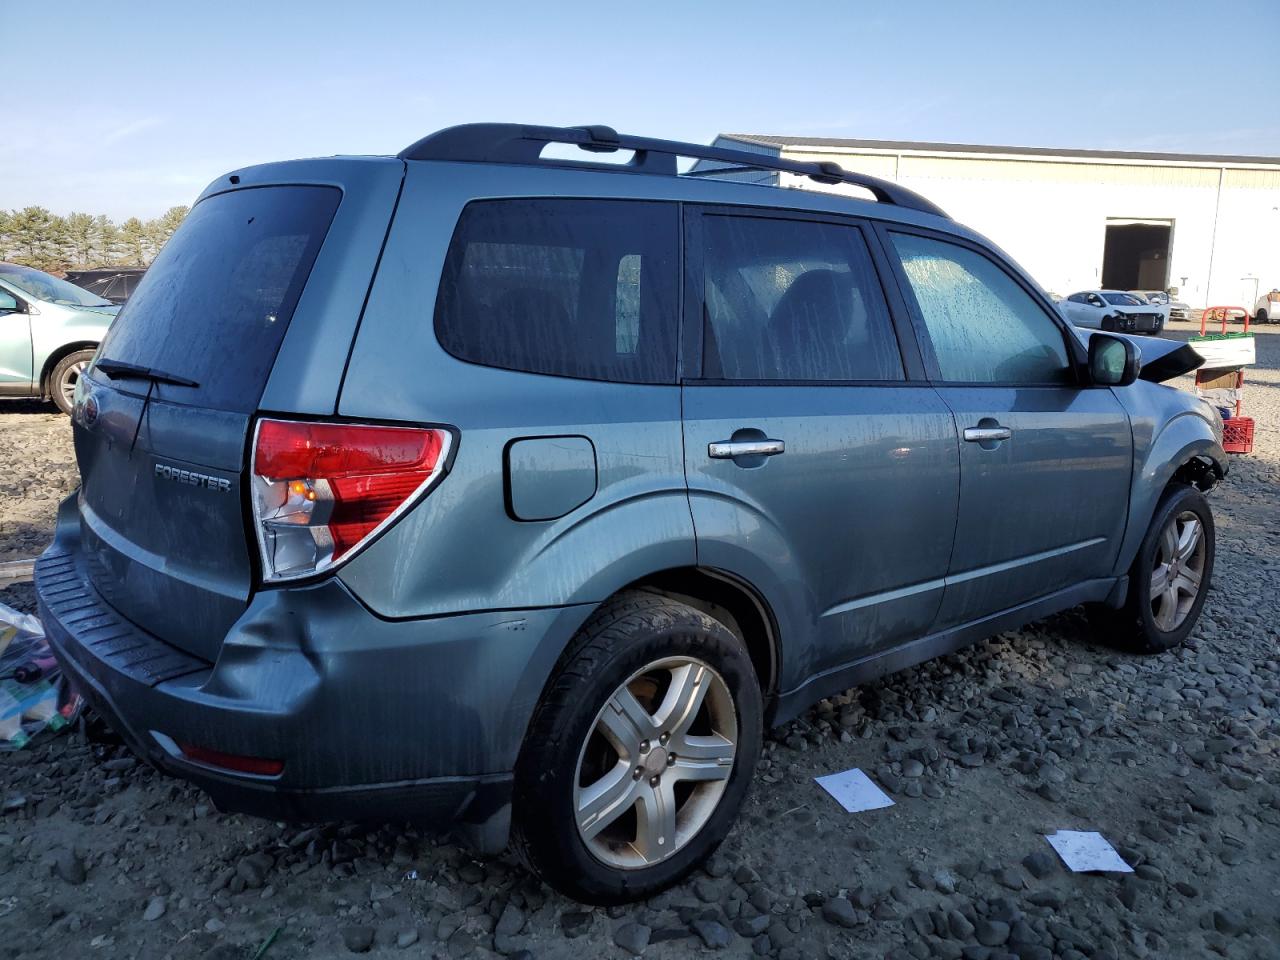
point(656, 764)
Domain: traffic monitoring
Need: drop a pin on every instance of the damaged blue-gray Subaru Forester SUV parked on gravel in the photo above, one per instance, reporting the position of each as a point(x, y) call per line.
point(523, 495)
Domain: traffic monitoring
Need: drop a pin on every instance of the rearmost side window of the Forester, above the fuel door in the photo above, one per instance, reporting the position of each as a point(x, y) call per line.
point(580, 289)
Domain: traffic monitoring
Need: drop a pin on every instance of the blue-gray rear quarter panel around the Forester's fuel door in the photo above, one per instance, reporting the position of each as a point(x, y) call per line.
point(461, 550)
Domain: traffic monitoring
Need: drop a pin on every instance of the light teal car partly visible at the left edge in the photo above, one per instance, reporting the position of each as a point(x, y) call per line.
point(49, 331)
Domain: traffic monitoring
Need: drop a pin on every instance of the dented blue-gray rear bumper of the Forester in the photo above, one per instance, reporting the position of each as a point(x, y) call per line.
point(372, 719)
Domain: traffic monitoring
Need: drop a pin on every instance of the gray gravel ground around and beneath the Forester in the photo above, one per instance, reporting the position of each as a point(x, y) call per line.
point(1176, 760)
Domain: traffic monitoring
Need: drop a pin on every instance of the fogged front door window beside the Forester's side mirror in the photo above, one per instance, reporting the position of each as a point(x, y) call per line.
point(982, 327)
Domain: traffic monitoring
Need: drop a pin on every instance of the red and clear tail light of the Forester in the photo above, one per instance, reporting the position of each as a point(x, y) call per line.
point(323, 491)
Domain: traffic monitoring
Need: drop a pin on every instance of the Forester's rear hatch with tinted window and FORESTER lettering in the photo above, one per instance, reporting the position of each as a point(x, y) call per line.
point(164, 417)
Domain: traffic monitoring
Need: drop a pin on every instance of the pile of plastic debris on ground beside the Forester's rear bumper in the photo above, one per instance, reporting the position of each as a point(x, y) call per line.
point(34, 693)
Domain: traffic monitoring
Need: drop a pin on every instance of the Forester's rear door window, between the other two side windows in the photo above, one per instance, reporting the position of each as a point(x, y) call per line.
point(793, 300)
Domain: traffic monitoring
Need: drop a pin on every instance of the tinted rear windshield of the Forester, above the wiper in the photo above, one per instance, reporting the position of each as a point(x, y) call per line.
point(216, 304)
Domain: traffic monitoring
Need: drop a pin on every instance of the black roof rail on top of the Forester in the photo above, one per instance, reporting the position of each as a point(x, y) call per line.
point(520, 144)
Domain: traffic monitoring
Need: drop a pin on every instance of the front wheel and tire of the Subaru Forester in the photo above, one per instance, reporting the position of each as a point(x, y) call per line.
point(1151, 620)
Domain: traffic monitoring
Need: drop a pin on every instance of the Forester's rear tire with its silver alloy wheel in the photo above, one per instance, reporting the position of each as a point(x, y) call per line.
point(572, 756)
